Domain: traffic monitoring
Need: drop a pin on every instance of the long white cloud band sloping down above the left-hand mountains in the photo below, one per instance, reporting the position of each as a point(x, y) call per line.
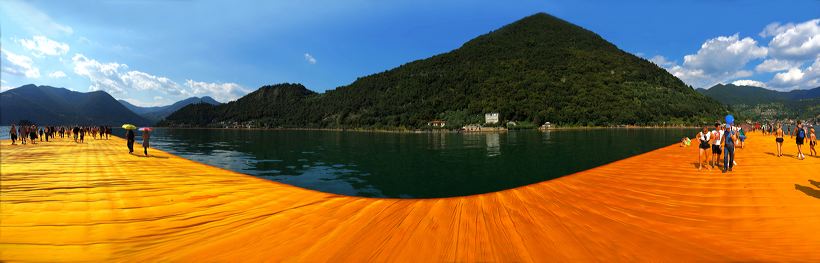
point(117, 79)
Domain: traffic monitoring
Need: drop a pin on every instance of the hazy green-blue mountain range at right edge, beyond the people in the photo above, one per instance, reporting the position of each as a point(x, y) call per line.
point(750, 102)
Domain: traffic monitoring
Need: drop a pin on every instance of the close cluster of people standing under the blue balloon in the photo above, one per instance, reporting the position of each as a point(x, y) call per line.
point(722, 140)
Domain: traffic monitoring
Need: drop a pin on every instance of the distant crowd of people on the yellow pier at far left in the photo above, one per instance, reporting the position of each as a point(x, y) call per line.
point(30, 133)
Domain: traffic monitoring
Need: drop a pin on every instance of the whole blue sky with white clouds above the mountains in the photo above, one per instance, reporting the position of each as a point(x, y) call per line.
point(157, 52)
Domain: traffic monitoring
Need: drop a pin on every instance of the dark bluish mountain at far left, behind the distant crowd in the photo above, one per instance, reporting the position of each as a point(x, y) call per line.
point(46, 105)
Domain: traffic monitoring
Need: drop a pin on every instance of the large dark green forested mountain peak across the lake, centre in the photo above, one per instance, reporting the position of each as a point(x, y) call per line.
point(537, 69)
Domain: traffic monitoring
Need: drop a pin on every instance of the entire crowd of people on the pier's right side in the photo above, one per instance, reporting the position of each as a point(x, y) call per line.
point(723, 138)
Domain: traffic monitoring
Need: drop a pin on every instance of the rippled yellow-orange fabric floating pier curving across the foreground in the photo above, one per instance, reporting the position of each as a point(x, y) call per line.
point(62, 201)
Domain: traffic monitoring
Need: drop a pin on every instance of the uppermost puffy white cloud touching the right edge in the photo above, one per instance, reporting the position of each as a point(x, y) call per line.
point(794, 41)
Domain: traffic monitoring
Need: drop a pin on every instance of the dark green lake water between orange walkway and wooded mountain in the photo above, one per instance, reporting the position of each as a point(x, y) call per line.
point(405, 165)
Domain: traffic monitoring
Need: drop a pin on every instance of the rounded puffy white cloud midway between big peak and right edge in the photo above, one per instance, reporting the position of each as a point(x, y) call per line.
point(724, 54)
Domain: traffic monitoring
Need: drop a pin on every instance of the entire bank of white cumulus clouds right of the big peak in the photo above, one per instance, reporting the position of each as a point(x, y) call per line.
point(726, 58)
